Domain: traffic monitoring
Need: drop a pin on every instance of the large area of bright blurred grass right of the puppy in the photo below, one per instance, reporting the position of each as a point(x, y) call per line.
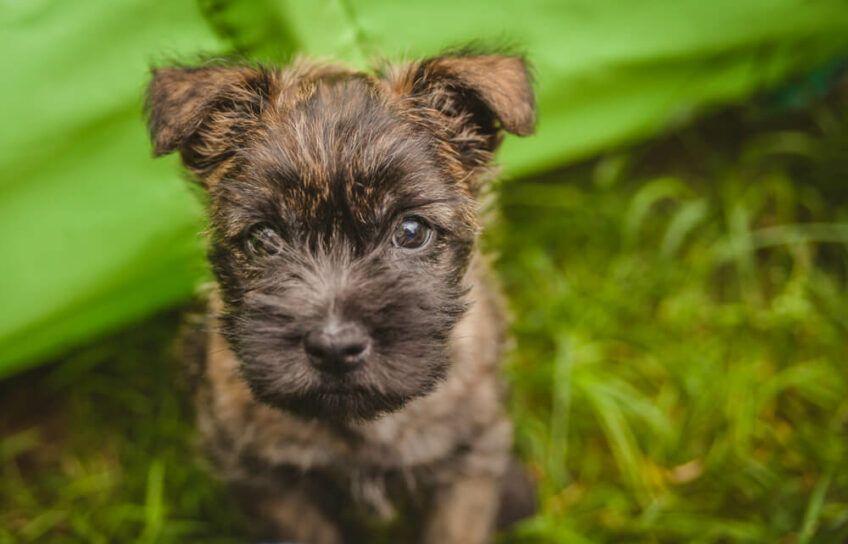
point(681, 373)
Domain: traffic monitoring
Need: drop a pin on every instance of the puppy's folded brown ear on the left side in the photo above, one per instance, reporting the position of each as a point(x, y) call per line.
point(205, 113)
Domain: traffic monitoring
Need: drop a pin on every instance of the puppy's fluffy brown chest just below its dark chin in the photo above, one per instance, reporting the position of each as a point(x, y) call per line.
point(426, 431)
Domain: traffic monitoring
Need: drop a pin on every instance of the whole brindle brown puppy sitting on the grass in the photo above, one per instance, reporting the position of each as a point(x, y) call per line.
point(352, 342)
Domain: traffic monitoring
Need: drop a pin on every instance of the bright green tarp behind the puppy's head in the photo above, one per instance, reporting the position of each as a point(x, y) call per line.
point(94, 233)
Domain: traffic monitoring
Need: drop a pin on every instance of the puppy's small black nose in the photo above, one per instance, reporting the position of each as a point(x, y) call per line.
point(337, 347)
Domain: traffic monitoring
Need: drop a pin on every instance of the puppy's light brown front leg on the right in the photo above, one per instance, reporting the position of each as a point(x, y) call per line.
point(464, 511)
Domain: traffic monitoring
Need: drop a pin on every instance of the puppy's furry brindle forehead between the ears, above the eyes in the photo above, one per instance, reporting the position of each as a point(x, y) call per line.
point(343, 148)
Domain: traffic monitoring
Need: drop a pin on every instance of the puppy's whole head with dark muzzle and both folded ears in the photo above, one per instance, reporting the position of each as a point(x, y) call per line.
point(343, 215)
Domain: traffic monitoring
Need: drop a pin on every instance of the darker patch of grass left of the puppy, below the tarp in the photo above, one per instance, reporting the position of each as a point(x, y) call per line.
point(102, 450)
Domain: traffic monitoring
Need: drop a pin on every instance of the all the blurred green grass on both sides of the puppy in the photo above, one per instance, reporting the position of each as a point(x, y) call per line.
point(679, 371)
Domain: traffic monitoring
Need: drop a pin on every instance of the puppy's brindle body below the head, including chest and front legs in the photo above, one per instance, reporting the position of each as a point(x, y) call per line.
point(457, 435)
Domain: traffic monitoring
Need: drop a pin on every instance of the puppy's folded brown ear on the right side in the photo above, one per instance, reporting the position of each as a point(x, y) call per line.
point(475, 97)
